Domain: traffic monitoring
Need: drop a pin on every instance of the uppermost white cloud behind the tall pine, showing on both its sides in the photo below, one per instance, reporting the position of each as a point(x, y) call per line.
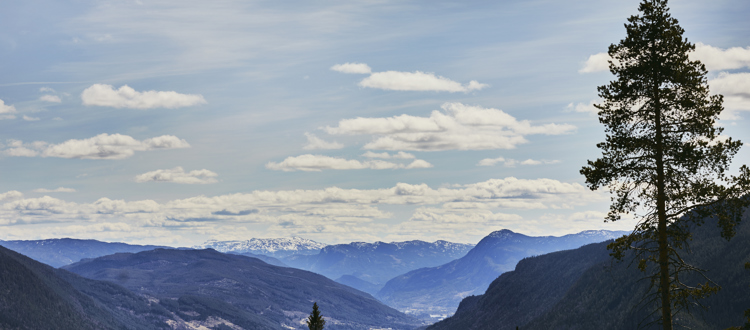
point(714, 58)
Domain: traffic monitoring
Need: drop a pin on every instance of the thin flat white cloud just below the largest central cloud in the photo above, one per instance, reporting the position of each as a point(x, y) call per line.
point(310, 163)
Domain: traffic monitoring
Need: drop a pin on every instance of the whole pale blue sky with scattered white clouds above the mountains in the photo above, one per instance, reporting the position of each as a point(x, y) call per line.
point(176, 122)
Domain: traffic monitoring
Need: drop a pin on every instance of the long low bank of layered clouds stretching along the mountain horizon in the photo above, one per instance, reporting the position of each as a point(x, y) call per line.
point(467, 210)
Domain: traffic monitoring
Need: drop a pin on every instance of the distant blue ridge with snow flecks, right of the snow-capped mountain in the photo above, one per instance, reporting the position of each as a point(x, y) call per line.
point(376, 263)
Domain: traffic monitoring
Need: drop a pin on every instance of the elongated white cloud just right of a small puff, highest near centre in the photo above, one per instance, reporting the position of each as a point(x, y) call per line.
point(417, 81)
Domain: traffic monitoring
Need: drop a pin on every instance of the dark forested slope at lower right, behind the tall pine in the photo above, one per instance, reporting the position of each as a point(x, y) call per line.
point(585, 289)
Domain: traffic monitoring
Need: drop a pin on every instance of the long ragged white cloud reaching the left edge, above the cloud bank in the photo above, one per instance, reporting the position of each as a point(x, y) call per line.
point(102, 146)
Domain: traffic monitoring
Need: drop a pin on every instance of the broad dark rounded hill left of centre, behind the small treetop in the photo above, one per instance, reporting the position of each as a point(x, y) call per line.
point(241, 290)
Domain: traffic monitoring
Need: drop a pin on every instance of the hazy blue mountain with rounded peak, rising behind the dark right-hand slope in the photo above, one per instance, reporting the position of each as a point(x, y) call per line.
point(438, 290)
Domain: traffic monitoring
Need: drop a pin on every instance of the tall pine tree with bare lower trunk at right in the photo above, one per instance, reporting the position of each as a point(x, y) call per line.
point(664, 159)
